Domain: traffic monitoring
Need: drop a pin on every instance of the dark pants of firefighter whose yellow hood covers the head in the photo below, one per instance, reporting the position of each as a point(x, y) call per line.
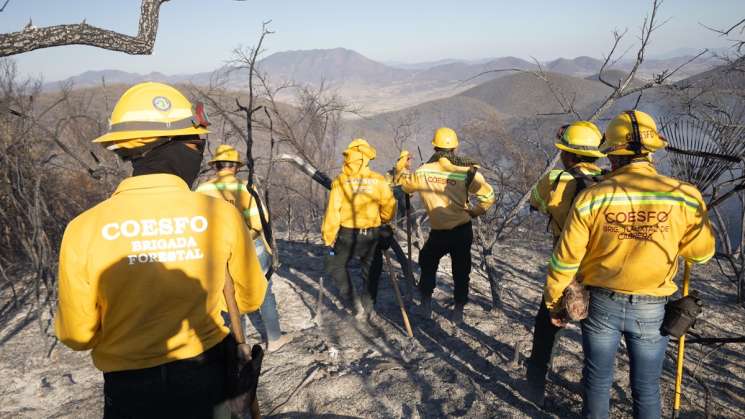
point(362, 244)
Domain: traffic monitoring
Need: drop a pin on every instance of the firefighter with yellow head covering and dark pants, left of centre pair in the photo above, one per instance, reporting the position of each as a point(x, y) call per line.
point(360, 202)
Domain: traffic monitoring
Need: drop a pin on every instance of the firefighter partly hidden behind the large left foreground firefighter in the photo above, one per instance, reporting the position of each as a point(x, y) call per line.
point(228, 187)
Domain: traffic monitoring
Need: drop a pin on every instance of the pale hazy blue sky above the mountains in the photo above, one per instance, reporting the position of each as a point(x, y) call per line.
point(199, 35)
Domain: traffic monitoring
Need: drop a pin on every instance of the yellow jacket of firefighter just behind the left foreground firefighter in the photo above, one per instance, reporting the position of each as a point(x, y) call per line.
point(235, 191)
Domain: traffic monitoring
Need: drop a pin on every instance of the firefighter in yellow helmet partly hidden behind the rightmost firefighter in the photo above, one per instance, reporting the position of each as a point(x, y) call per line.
point(553, 195)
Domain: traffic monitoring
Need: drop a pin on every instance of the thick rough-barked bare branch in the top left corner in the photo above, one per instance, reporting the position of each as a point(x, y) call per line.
point(32, 38)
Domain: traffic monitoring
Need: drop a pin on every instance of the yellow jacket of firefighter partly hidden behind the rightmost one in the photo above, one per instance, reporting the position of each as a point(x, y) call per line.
point(554, 193)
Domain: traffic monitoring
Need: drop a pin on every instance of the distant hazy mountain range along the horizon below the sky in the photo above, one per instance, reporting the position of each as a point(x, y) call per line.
point(339, 66)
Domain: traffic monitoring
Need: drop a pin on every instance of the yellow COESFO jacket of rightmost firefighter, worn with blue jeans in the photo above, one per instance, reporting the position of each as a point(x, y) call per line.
point(626, 233)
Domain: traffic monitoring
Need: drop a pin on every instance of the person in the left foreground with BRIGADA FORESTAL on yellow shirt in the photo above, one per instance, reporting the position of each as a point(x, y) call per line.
point(141, 274)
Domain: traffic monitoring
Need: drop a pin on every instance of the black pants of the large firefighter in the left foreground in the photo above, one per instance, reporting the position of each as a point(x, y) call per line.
point(189, 388)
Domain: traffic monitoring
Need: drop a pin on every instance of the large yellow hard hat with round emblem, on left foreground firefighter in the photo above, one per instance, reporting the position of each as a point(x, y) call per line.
point(148, 111)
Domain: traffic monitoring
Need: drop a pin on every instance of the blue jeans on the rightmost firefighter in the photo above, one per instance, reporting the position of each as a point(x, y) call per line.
point(638, 319)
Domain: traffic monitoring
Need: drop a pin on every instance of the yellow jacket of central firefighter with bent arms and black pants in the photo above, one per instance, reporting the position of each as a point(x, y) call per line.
point(442, 186)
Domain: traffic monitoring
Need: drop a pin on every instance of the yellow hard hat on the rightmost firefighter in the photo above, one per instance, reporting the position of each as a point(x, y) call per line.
point(632, 132)
